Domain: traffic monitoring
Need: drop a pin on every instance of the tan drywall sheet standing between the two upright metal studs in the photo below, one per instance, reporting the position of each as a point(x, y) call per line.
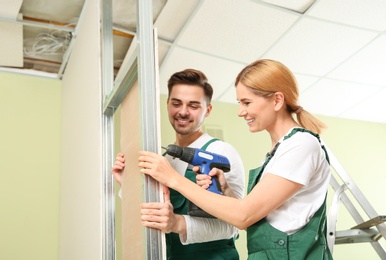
point(133, 236)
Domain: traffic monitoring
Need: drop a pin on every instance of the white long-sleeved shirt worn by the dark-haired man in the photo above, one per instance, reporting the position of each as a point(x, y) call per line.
point(209, 229)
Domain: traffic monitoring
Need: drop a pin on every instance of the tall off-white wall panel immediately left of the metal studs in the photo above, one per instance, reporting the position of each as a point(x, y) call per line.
point(81, 176)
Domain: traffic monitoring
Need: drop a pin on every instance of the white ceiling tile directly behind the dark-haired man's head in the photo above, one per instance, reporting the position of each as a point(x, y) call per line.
point(220, 73)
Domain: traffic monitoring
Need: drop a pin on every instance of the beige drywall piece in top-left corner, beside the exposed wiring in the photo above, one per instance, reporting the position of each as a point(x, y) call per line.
point(11, 44)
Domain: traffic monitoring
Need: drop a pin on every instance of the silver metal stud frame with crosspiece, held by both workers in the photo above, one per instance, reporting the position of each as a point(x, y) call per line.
point(141, 65)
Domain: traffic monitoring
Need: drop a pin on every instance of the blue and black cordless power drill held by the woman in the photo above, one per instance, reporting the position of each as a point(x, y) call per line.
point(206, 161)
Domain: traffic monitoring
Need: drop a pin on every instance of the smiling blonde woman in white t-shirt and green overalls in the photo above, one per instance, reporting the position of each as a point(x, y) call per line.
point(285, 209)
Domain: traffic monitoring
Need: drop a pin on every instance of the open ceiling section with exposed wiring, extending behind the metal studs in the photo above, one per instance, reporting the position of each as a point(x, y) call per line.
point(37, 34)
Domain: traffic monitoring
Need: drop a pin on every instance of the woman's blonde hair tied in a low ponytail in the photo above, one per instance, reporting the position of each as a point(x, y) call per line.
point(266, 77)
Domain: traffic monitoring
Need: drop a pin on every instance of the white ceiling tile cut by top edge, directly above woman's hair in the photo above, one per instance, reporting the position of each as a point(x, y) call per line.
point(236, 30)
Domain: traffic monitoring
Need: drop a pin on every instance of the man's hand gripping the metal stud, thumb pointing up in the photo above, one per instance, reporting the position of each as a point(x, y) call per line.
point(159, 215)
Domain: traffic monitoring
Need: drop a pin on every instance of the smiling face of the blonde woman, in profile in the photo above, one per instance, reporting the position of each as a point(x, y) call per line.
point(257, 111)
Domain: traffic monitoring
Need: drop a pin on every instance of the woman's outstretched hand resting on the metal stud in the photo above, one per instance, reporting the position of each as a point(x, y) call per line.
point(158, 167)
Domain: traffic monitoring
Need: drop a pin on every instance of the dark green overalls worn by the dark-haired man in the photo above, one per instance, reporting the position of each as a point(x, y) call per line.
point(214, 250)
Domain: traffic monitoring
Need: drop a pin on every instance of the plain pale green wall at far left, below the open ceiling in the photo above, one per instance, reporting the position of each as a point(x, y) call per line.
point(29, 168)
